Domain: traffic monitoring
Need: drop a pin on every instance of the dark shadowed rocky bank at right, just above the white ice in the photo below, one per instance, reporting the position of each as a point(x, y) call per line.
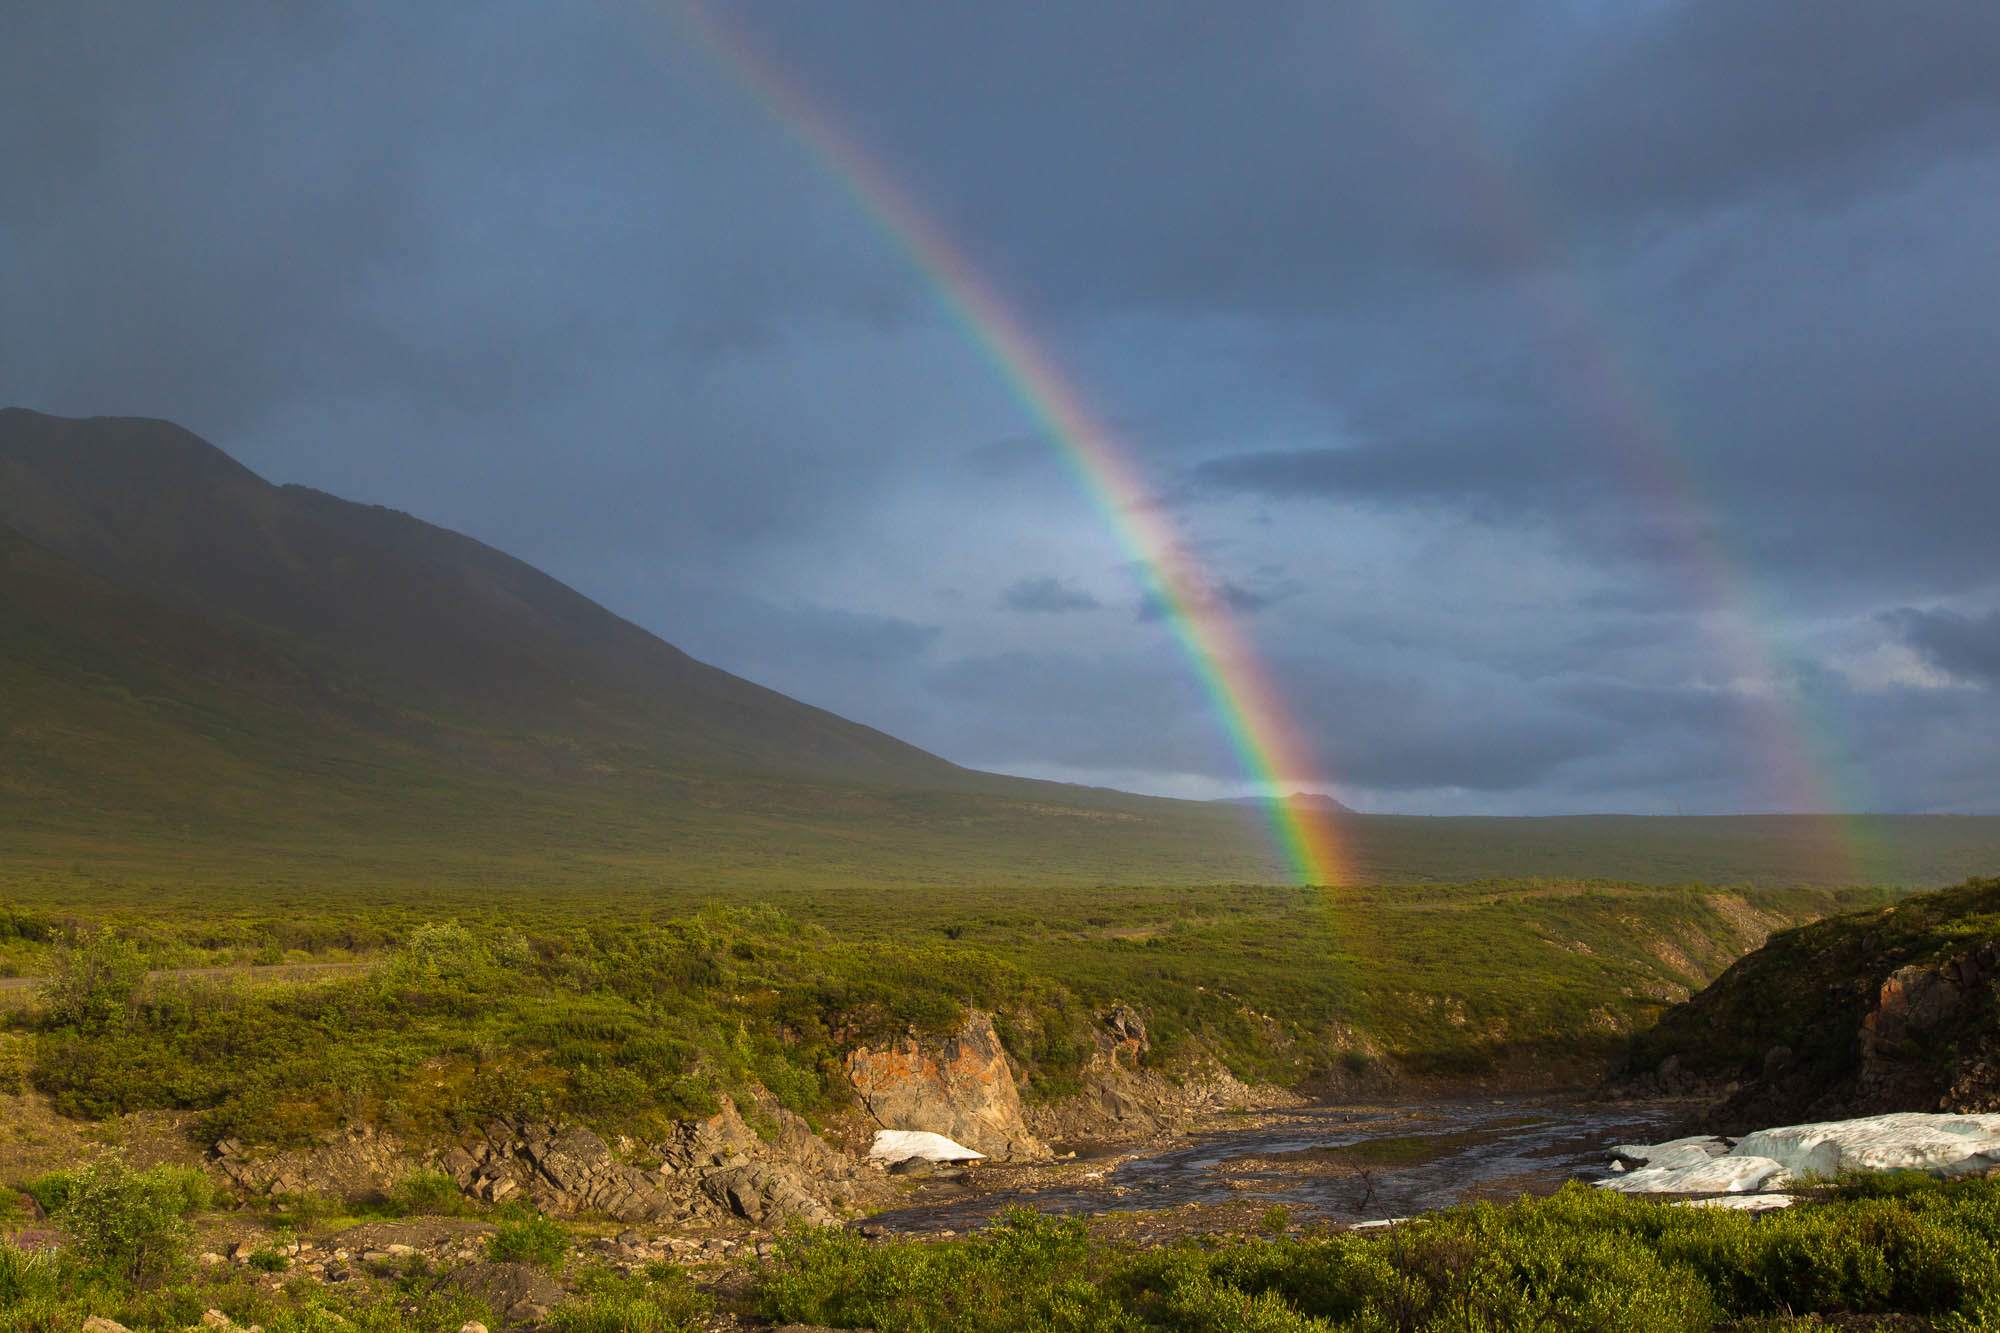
point(1807, 994)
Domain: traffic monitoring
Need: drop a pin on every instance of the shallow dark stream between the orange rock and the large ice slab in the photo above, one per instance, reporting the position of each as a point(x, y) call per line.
point(1329, 1164)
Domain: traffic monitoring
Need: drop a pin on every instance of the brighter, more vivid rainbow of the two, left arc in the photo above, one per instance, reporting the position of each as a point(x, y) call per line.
point(1253, 716)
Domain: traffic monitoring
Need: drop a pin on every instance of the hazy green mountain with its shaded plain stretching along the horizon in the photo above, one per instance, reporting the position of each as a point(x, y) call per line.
point(219, 686)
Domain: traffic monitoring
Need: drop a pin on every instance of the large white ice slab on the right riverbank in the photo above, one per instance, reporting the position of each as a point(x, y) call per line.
point(1767, 1160)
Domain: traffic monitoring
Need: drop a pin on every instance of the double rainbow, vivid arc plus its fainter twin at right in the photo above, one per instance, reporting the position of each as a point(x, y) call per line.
point(1633, 425)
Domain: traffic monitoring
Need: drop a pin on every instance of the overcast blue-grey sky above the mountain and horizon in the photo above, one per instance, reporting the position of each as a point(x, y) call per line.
point(1579, 407)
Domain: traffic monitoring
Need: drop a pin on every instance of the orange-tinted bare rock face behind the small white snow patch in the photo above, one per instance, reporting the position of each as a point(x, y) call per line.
point(959, 1086)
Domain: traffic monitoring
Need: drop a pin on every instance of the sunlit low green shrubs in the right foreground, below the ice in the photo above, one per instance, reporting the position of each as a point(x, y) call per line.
point(1581, 1260)
